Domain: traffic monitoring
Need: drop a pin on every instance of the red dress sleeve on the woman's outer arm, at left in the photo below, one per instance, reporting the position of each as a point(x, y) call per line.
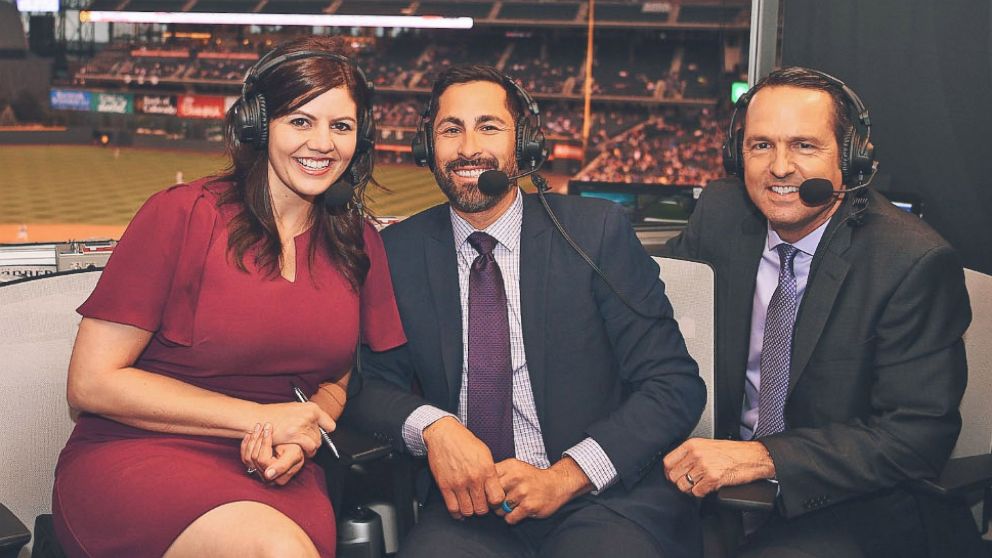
point(135, 284)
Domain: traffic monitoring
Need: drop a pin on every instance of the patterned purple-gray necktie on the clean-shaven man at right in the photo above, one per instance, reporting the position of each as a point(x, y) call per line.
point(776, 350)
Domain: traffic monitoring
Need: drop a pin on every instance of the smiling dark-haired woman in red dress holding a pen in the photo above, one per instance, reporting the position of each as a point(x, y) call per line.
point(220, 296)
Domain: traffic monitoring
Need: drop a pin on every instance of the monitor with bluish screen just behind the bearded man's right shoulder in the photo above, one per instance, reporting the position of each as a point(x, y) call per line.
point(647, 205)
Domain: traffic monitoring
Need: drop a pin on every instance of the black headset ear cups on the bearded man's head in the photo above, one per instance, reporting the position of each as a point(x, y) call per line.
point(529, 146)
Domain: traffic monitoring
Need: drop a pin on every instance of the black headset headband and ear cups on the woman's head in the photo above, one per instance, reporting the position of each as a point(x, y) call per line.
point(251, 116)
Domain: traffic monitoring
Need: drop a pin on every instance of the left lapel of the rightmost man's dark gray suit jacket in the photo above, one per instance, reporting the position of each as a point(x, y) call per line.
point(745, 255)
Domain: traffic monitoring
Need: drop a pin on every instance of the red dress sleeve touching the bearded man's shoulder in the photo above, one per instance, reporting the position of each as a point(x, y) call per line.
point(381, 327)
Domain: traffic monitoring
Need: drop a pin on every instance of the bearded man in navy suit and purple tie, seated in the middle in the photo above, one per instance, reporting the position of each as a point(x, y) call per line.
point(544, 409)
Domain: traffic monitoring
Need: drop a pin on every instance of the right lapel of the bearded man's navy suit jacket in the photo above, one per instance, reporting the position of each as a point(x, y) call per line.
point(535, 252)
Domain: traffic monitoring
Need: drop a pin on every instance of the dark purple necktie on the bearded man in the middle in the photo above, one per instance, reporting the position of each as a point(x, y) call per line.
point(490, 372)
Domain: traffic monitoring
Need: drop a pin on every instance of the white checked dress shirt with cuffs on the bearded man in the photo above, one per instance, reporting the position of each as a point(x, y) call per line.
point(528, 441)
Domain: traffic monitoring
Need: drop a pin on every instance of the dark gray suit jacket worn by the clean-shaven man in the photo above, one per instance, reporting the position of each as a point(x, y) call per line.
point(878, 365)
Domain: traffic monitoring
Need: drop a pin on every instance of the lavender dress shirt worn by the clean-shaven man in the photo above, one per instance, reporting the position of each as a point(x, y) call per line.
point(767, 281)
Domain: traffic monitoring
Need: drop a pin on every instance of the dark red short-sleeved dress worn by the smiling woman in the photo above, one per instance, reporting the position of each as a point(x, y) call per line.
point(123, 491)
